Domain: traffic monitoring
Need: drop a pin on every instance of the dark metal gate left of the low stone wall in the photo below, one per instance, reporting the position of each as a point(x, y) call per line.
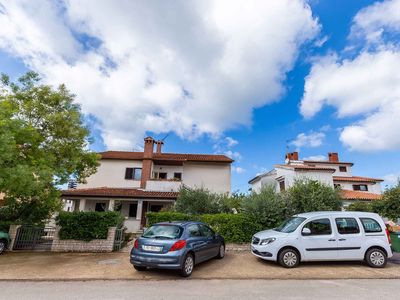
point(34, 238)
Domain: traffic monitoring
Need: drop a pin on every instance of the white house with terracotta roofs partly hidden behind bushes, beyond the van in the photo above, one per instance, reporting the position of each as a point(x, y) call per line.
point(332, 172)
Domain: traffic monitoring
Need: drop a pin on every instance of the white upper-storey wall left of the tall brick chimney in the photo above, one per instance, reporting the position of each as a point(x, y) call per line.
point(111, 173)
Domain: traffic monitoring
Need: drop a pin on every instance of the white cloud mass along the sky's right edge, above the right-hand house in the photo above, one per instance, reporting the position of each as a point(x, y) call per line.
point(366, 87)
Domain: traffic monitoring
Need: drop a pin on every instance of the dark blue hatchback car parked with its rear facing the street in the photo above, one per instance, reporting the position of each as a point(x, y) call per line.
point(176, 245)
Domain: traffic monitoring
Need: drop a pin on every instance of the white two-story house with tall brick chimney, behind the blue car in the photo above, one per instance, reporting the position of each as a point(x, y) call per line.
point(137, 182)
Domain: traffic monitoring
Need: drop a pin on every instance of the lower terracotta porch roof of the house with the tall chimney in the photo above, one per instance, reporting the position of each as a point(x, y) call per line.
point(118, 192)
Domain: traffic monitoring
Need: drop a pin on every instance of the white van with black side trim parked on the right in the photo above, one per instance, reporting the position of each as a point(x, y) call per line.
point(323, 236)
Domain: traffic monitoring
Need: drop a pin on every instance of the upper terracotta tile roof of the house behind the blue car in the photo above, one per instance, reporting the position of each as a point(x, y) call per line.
point(166, 156)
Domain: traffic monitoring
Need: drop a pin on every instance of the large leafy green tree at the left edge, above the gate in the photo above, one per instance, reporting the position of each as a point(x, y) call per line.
point(43, 143)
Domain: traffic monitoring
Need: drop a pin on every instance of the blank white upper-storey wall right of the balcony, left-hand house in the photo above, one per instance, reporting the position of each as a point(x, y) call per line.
point(215, 177)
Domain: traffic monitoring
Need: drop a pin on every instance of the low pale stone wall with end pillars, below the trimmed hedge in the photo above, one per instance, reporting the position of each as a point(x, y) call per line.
point(105, 245)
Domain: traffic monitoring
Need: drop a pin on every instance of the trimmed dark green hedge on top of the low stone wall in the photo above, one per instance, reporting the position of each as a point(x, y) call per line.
point(87, 226)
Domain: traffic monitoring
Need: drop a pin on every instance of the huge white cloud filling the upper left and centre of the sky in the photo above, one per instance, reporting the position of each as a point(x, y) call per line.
point(189, 67)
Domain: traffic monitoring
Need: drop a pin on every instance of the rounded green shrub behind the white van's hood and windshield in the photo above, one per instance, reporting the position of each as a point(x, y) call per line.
point(267, 207)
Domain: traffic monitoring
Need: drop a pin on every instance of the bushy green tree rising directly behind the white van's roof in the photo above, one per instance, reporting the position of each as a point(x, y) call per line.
point(312, 195)
